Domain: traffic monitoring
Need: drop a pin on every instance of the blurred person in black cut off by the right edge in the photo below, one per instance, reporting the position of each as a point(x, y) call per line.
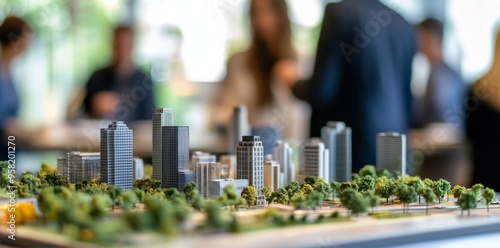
point(483, 124)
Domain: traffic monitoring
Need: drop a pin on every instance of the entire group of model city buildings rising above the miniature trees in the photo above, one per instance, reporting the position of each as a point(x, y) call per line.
point(251, 161)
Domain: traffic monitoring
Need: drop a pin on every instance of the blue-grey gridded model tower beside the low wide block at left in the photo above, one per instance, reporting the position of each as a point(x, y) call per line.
point(116, 155)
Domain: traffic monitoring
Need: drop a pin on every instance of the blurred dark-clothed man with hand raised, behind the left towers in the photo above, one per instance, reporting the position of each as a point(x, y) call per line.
point(120, 91)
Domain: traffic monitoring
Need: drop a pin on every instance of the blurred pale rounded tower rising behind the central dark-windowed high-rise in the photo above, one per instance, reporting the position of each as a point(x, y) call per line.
point(239, 126)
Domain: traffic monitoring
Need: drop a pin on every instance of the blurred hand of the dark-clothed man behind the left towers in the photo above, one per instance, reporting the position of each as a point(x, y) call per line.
point(105, 104)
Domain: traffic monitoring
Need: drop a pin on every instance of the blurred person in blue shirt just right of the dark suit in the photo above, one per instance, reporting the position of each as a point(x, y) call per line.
point(445, 88)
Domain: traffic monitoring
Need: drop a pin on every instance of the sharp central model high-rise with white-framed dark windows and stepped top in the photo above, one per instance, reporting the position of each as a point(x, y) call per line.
point(250, 161)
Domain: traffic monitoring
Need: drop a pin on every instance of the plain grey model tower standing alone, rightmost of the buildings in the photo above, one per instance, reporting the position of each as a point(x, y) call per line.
point(391, 152)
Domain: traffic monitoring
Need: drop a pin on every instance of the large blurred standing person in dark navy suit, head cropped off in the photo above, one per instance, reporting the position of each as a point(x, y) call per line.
point(362, 74)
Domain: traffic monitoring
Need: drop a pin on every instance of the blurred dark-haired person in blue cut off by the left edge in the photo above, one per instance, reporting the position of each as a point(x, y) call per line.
point(15, 35)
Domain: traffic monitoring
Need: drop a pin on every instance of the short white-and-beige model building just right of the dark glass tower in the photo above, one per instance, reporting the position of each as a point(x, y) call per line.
point(204, 172)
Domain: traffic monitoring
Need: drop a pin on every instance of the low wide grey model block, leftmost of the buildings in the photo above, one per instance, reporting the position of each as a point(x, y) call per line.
point(79, 166)
